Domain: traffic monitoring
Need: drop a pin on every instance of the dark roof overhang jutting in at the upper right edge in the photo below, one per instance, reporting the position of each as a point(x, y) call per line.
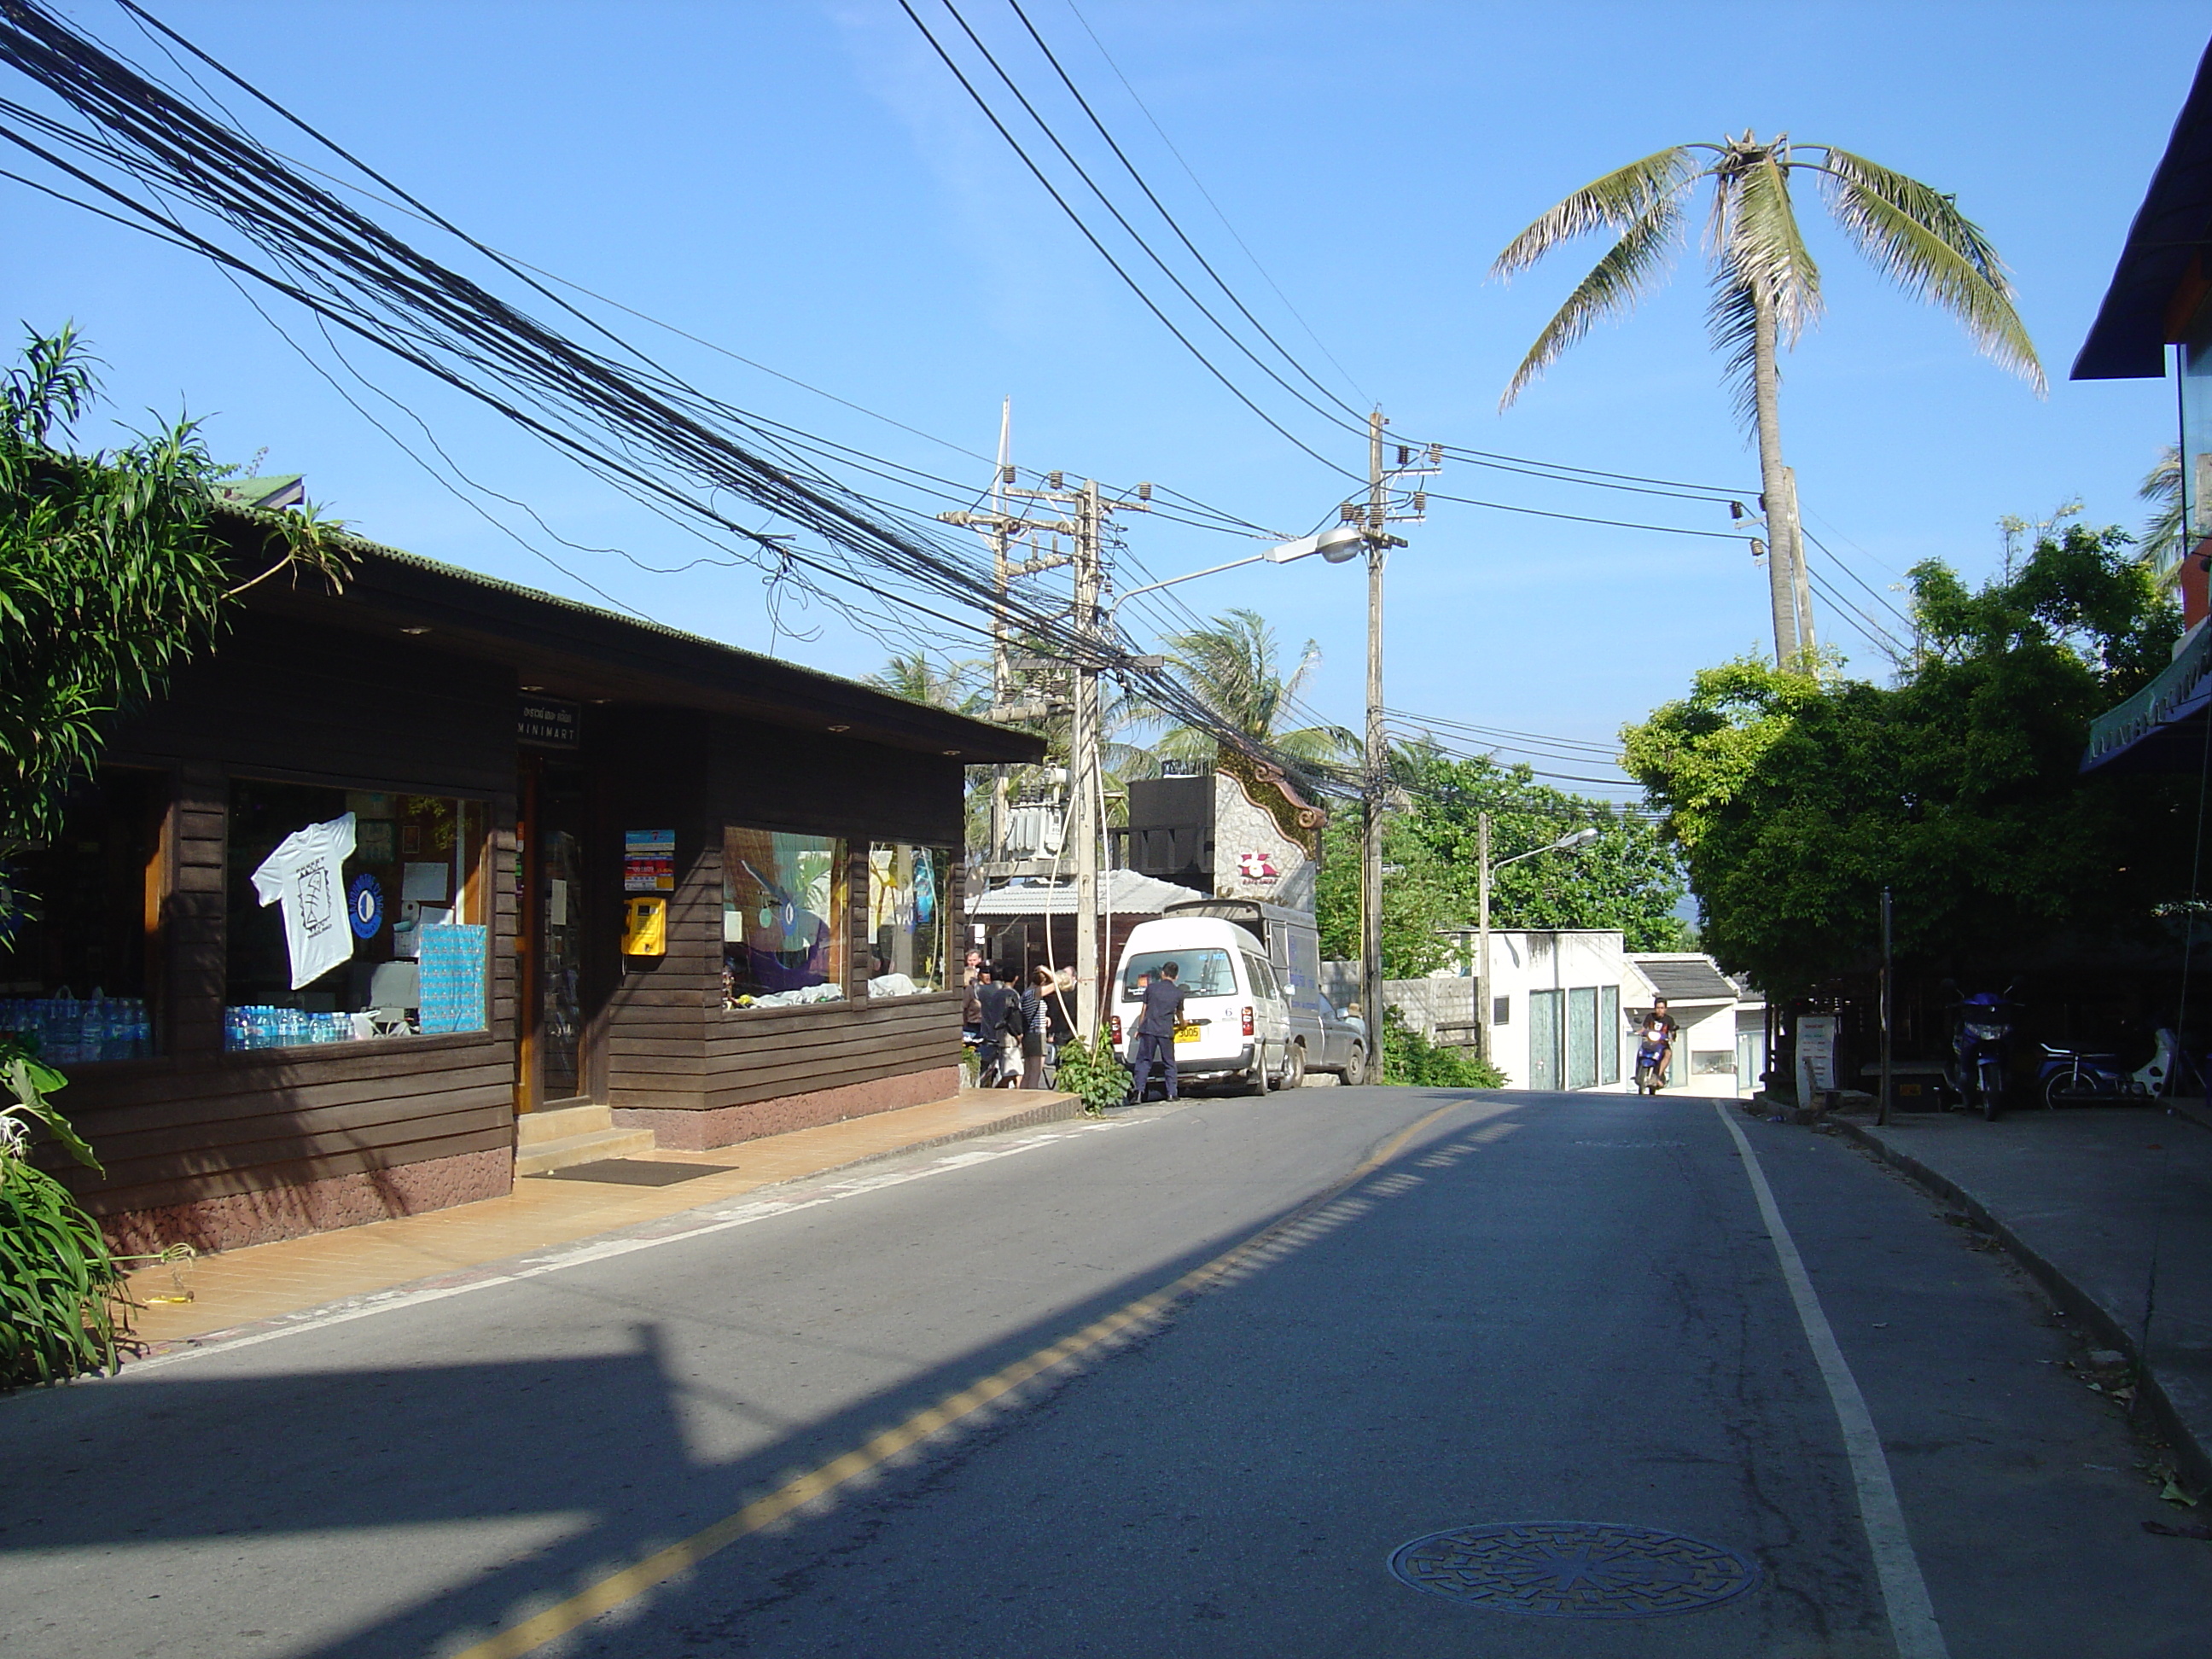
point(2162, 267)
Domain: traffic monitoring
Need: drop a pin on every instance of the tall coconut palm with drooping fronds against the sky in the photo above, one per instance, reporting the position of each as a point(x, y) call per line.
point(1766, 286)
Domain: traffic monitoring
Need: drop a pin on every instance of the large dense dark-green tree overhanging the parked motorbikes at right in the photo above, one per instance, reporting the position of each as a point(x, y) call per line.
point(1797, 797)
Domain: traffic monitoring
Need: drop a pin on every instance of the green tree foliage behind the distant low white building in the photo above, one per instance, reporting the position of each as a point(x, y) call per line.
point(1627, 879)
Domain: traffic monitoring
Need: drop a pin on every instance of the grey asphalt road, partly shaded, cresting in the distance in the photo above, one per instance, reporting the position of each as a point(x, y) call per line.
point(1536, 1308)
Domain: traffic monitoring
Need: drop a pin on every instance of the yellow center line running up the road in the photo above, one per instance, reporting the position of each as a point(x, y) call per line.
point(665, 1565)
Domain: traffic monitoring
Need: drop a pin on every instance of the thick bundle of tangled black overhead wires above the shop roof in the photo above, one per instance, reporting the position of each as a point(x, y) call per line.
point(178, 167)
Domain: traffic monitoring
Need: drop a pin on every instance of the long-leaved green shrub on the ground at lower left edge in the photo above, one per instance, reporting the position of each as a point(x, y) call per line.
point(59, 1284)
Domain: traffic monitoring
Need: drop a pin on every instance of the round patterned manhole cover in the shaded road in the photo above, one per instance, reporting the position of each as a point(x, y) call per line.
point(1574, 1569)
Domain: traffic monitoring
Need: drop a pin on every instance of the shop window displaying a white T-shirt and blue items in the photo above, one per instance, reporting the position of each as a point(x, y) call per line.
point(353, 915)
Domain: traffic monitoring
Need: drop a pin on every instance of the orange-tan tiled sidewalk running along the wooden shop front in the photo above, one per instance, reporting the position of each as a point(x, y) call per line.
point(293, 1275)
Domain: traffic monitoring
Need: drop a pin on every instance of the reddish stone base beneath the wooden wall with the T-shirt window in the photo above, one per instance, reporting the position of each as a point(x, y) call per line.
point(313, 1207)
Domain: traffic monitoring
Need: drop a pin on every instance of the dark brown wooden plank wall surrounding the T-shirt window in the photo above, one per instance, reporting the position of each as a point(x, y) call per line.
point(326, 707)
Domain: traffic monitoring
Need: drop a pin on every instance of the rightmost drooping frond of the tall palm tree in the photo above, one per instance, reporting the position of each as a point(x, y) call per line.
point(1921, 240)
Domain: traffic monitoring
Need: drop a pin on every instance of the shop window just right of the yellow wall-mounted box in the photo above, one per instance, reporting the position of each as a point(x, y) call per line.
point(784, 919)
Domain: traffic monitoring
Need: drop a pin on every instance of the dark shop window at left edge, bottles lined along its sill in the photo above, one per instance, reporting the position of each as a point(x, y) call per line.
point(79, 926)
